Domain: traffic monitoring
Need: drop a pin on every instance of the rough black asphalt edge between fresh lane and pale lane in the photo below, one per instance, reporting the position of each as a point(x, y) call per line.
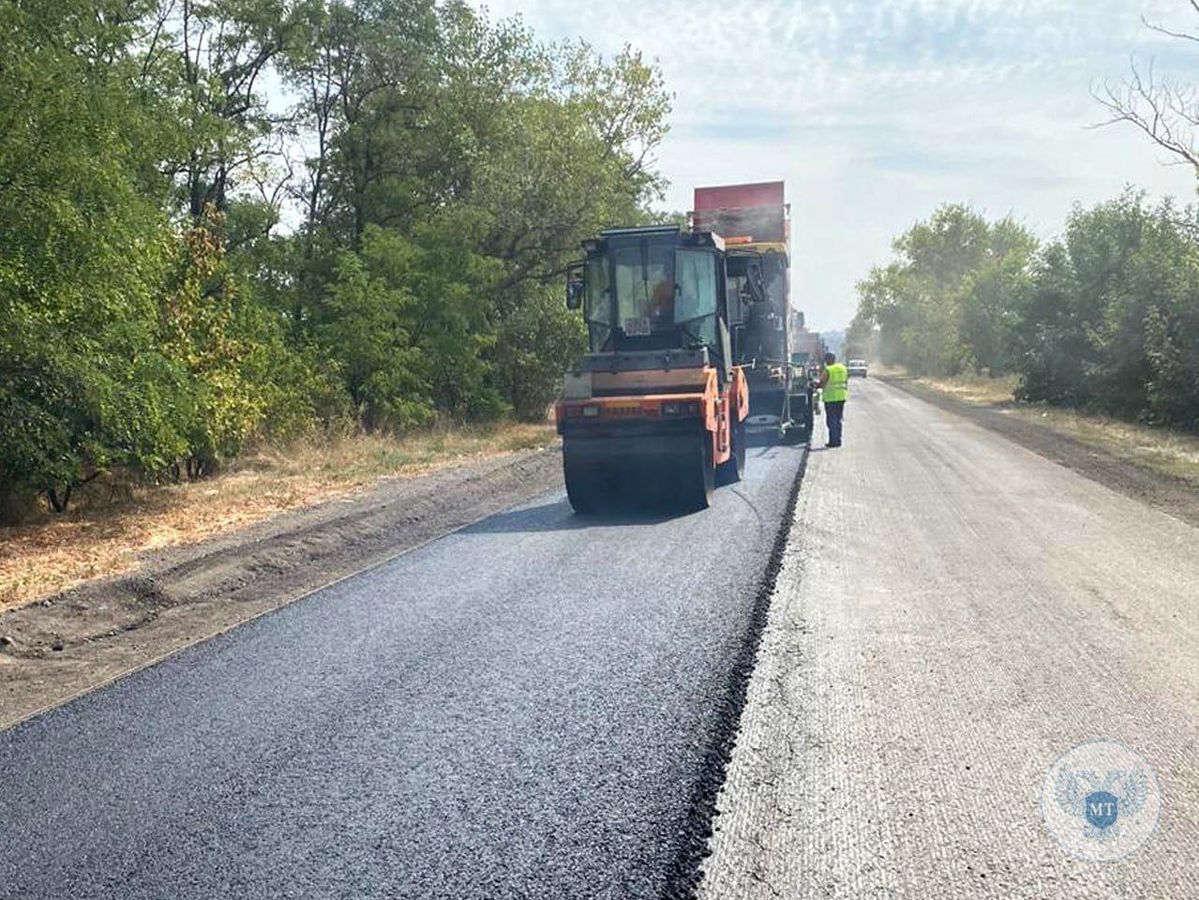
point(686, 874)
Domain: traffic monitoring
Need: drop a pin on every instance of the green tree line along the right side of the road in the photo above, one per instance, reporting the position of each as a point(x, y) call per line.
point(1105, 318)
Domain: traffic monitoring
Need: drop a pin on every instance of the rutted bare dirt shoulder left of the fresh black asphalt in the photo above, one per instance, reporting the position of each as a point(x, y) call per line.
point(87, 637)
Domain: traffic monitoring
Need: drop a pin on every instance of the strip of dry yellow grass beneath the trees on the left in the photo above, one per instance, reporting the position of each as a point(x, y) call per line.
point(106, 537)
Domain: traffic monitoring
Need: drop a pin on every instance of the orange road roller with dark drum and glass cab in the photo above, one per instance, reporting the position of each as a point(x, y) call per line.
point(655, 413)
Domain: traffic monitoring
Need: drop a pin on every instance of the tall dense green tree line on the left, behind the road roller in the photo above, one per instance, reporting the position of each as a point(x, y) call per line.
point(226, 220)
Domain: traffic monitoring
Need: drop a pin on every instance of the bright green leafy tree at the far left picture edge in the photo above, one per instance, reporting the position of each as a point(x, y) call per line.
point(86, 385)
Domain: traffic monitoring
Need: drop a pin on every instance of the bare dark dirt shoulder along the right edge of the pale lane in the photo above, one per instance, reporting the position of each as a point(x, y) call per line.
point(1174, 497)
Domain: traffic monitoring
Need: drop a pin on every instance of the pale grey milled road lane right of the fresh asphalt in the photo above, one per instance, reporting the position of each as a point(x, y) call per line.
point(954, 614)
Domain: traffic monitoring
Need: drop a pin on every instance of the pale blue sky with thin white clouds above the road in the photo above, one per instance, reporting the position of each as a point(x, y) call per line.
point(877, 112)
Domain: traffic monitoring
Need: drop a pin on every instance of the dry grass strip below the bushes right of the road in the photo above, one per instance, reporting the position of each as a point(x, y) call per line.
point(1160, 450)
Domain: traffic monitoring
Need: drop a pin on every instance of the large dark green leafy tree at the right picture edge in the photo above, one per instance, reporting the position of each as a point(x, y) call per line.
point(1112, 322)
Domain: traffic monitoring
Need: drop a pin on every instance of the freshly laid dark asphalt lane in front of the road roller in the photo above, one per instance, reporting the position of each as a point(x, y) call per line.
point(525, 709)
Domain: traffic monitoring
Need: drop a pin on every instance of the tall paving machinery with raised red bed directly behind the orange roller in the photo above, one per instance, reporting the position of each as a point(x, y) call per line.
point(754, 221)
